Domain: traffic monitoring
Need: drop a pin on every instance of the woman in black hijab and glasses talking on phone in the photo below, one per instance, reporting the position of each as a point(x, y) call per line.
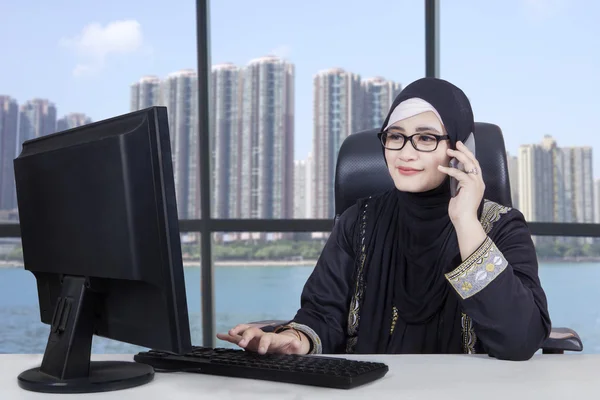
point(414, 270)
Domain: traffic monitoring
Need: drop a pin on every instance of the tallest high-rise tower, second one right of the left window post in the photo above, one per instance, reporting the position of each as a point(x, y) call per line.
point(268, 139)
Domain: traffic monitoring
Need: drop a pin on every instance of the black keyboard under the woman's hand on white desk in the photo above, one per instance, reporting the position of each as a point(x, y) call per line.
point(328, 372)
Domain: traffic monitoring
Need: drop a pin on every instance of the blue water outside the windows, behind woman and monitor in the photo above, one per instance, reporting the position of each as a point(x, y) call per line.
point(245, 294)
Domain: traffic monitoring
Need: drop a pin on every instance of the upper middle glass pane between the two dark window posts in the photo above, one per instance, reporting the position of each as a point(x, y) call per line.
point(284, 102)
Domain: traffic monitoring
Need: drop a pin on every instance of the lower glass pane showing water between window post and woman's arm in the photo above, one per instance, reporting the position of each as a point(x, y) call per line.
point(260, 276)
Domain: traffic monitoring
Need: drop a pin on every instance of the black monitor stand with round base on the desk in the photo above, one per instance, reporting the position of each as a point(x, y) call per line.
point(66, 366)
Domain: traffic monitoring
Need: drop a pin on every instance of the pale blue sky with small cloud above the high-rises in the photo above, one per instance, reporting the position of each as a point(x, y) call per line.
point(530, 66)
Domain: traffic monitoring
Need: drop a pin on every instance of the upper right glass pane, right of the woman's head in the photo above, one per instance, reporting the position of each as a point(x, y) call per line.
point(539, 85)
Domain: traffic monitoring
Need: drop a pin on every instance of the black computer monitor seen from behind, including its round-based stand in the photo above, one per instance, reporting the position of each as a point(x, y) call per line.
point(99, 229)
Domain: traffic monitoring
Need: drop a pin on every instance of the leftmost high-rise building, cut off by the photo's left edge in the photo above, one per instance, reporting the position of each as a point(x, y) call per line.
point(9, 116)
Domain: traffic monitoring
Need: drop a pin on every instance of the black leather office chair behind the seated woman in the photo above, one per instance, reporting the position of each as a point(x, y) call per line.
point(361, 172)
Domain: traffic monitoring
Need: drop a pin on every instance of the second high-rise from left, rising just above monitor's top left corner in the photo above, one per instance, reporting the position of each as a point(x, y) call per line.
point(37, 118)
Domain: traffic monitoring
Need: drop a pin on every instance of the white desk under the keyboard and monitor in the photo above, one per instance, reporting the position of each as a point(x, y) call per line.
point(572, 376)
